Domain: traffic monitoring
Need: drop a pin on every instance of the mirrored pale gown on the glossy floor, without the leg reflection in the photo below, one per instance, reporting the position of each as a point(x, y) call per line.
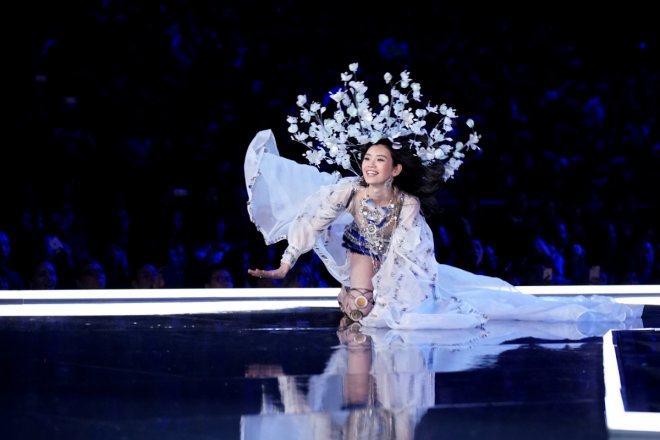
point(404, 364)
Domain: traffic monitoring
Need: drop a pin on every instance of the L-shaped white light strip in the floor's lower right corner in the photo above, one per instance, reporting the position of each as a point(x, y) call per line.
point(618, 419)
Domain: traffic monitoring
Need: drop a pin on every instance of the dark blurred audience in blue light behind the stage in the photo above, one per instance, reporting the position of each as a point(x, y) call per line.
point(136, 164)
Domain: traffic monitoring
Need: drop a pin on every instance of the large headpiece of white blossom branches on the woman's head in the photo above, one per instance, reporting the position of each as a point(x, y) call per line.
point(339, 138)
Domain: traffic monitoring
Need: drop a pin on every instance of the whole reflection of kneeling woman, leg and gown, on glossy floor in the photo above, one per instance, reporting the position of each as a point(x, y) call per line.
point(382, 381)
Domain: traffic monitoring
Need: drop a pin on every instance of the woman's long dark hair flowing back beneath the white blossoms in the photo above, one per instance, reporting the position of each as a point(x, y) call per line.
point(421, 180)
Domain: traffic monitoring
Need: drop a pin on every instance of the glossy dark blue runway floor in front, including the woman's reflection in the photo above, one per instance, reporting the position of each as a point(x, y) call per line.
point(299, 373)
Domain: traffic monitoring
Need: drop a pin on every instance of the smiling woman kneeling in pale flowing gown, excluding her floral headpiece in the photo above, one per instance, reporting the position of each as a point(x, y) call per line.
point(394, 268)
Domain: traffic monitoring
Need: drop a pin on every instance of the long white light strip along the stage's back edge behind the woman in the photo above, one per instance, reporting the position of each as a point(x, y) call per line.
point(203, 300)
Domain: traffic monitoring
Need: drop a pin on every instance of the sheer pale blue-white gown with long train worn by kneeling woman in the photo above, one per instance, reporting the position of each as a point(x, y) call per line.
point(297, 202)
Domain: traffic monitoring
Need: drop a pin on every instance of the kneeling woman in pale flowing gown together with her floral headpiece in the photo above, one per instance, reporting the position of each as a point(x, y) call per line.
point(370, 231)
